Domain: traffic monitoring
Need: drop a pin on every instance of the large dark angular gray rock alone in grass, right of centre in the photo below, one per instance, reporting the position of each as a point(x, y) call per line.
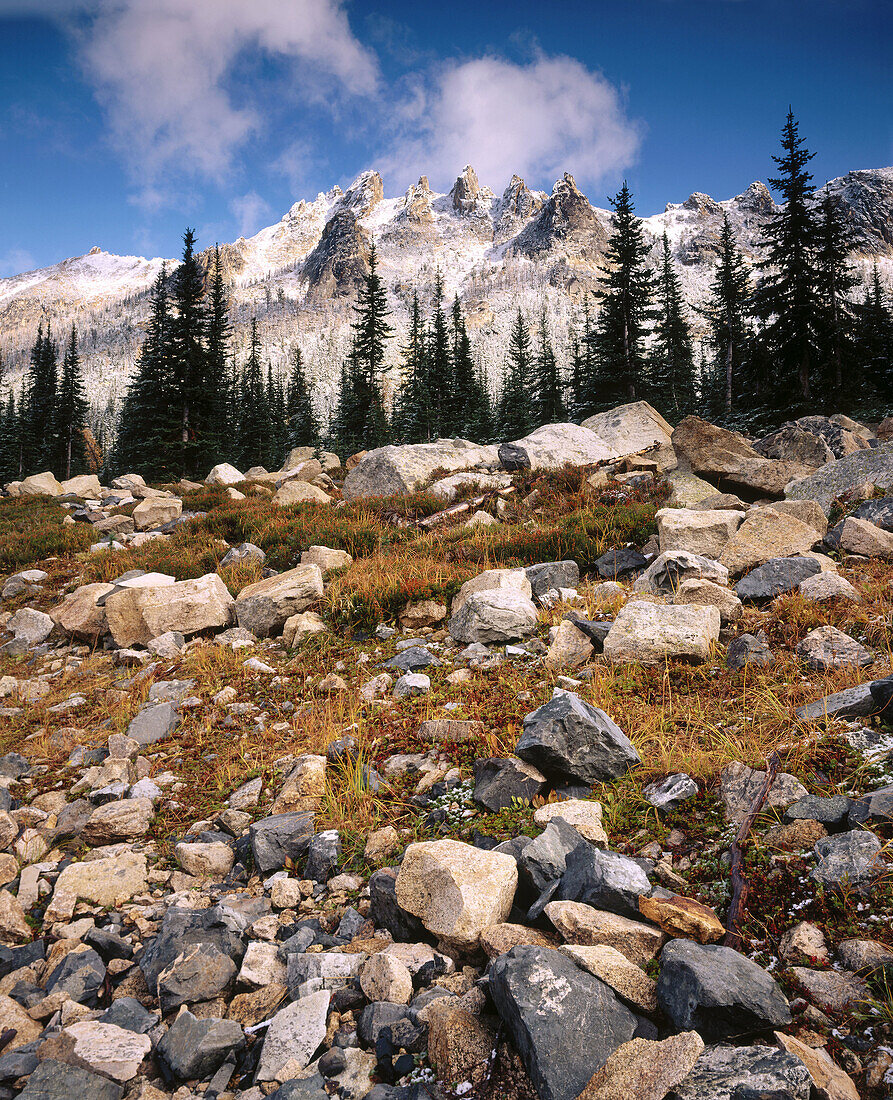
point(570, 740)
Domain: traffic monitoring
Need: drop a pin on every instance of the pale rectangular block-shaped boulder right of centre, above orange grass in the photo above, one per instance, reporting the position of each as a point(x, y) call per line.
point(651, 634)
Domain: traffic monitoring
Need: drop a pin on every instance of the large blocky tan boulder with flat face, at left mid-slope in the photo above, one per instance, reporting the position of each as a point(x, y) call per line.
point(137, 615)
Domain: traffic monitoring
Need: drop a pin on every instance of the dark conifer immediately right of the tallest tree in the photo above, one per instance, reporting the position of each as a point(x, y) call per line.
point(842, 381)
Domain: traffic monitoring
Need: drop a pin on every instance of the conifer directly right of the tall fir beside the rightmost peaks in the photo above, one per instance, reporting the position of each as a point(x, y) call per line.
point(672, 367)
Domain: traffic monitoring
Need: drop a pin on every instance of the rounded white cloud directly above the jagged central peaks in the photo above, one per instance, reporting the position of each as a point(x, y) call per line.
point(538, 119)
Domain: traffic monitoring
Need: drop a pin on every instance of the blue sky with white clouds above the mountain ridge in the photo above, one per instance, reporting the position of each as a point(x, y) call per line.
point(124, 120)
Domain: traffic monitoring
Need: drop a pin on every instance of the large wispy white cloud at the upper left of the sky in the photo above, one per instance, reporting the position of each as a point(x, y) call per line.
point(162, 71)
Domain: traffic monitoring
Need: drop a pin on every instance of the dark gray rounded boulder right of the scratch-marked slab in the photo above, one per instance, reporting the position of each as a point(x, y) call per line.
point(718, 992)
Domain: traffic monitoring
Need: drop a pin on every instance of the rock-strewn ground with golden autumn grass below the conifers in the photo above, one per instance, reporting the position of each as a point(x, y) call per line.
point(559, 773)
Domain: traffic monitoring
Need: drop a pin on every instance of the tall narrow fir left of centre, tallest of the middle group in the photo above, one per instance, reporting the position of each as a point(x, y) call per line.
point(361, 420)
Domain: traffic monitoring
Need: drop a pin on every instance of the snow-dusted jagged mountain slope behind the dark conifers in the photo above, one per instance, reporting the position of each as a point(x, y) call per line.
point(523, 248)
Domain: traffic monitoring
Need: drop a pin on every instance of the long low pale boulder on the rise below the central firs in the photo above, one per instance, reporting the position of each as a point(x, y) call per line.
point(391, 470)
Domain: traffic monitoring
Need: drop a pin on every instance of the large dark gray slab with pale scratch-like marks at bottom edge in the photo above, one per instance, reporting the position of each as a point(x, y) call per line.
point(565, 1022)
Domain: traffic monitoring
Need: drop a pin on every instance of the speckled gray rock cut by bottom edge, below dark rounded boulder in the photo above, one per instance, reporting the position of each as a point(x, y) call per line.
point(745, 1073)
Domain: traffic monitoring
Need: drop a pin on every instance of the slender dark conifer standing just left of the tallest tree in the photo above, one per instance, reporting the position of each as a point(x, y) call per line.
point(726, 312)
